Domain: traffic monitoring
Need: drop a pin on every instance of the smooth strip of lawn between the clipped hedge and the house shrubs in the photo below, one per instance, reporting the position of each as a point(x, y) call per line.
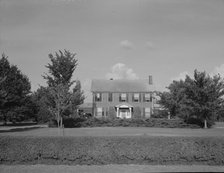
point(117, 131)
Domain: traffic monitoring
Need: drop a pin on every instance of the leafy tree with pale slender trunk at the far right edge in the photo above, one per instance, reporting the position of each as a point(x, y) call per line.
point(204, 94)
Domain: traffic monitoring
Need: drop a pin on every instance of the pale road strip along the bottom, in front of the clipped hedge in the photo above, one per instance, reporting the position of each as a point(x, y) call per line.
point(108, 168)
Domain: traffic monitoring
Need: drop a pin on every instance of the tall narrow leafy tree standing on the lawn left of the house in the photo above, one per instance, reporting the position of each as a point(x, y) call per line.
point(59, 80)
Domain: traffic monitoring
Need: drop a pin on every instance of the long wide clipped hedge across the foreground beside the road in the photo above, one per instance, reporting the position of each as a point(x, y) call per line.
point(111, 150)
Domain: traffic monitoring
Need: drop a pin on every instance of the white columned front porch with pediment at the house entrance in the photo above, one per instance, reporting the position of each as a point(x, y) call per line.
point(124, 111)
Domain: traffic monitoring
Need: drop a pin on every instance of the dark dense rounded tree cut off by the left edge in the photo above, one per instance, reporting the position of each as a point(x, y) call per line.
point(15, 88)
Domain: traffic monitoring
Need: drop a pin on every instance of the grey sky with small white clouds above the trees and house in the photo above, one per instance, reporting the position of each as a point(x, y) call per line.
point(120, 38)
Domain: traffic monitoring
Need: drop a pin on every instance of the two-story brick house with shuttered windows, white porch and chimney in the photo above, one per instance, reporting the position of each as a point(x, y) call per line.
point(126, 97)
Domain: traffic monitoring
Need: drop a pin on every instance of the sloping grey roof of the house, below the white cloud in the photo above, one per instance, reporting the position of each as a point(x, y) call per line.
point(120, 85)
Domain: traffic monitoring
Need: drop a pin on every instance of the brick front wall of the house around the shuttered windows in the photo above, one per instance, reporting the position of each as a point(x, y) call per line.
point(105, 104)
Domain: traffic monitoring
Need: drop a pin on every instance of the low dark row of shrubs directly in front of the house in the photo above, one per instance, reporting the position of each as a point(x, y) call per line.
point(105, 122)
